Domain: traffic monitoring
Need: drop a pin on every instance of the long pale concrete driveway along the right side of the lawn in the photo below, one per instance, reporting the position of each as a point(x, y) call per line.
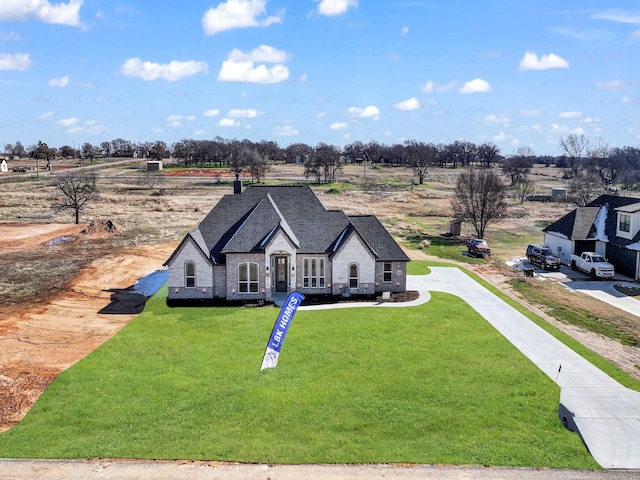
point(606, 414)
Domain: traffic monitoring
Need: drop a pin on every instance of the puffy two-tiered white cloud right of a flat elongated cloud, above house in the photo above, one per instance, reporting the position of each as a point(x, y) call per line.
point(241, 67)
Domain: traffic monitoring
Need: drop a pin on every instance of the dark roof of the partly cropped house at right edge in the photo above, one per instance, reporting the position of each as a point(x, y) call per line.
point(592, 222)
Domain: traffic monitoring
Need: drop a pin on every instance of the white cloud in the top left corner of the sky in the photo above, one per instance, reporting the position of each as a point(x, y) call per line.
point(41, 10)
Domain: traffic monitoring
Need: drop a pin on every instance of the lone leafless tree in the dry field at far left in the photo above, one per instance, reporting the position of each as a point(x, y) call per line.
point(73, 192)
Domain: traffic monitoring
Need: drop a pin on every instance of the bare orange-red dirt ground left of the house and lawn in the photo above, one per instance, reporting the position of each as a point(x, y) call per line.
point(39, 343)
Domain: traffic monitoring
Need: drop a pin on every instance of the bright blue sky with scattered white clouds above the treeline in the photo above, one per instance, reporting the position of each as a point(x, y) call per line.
point(336, 71)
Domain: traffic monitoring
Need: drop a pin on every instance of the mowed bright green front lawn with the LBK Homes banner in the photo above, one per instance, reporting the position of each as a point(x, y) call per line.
point(432, 384)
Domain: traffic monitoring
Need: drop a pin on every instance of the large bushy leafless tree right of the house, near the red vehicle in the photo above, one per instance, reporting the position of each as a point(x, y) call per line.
point(479, 198)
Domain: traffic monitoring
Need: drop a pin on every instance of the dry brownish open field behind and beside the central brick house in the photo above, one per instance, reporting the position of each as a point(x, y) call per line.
point(162, 211)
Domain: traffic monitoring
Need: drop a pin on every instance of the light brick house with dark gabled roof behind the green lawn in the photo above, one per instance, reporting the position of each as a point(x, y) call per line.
point(269, 240)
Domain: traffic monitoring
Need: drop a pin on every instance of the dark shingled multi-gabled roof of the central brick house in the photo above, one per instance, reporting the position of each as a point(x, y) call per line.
point(245, 222)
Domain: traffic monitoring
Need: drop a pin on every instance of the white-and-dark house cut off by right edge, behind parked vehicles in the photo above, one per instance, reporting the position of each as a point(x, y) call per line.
point(609, 225)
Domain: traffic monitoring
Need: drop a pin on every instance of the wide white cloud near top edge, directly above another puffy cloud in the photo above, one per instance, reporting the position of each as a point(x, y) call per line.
point(237, 14)
